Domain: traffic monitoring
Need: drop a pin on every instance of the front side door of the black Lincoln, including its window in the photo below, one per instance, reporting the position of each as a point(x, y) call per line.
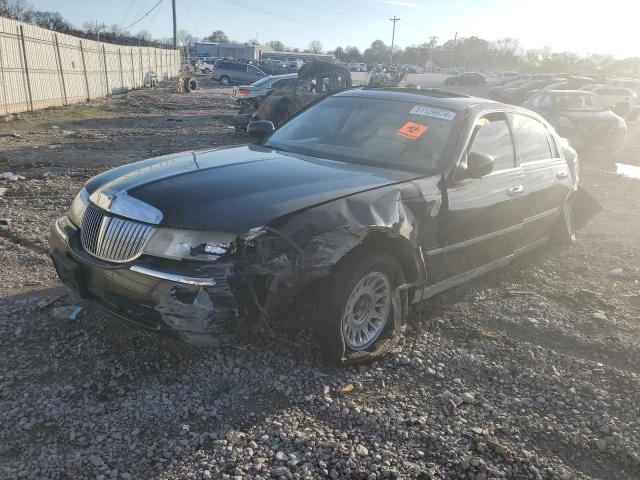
point(485, 214)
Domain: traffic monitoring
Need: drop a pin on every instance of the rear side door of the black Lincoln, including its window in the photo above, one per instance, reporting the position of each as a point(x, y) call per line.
point(547, 180)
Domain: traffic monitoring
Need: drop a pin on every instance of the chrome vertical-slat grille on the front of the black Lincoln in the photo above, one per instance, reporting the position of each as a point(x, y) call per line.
point(112, 238)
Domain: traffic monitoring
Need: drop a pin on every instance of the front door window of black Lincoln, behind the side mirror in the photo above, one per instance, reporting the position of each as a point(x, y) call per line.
point(493, 138)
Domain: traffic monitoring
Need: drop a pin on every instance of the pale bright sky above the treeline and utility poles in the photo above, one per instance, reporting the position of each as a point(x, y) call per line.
point(580, 26)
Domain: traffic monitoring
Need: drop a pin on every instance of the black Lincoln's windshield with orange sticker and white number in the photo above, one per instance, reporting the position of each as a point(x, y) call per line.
point(370, 131)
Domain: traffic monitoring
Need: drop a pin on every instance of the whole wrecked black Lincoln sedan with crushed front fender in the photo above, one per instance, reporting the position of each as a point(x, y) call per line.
point(362, 203)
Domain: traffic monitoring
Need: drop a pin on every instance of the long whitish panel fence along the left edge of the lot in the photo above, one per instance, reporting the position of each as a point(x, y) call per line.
point(40, 68)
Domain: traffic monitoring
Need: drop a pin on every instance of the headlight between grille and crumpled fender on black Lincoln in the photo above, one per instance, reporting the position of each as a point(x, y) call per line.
point(188, 244)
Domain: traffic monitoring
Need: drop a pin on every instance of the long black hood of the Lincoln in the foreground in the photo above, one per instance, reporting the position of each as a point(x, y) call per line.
point(236, 189)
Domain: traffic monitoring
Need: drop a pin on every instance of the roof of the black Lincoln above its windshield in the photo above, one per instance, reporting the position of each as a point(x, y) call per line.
point(431, 96)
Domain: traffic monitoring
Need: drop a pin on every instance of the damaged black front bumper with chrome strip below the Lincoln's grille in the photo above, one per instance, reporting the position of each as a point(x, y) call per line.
point(167, 297)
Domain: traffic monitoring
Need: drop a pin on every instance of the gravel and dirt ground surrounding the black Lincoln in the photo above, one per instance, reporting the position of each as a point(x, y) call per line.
point(530, 372)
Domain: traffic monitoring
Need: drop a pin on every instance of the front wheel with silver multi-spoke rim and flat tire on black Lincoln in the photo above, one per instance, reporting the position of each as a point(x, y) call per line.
point(338, 306)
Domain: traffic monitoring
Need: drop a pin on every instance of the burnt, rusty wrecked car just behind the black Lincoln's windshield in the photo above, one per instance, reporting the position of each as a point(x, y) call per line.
point(315, 80)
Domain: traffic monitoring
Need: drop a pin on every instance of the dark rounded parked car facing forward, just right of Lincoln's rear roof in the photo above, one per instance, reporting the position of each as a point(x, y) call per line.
point(580, 116)
